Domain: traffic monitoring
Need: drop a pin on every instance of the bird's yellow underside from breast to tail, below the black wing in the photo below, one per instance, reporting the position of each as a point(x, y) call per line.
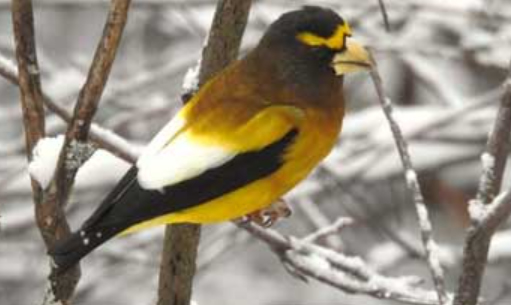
point(314, 141)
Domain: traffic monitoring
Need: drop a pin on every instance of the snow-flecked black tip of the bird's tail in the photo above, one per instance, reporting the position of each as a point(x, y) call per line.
point(71, 250)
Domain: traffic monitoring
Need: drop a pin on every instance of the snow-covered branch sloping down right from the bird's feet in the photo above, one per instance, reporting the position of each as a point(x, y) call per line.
point(349, 274)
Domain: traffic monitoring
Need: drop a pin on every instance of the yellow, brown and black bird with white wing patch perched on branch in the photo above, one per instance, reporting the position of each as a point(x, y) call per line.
point(247, 137)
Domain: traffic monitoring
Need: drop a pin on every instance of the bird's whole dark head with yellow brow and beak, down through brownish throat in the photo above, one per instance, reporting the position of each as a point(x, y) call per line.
point(307, 50)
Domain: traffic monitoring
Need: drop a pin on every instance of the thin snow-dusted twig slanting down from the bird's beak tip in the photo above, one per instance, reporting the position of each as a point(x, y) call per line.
point(412, 183)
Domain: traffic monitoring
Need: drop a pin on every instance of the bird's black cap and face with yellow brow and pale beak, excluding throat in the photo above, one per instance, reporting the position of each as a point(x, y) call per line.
point(316, 41)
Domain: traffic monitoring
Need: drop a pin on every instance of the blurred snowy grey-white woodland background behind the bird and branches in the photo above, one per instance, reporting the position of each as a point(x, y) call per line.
point(442, 65)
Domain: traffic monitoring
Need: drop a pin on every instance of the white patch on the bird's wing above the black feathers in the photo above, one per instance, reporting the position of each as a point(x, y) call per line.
point(170, 159)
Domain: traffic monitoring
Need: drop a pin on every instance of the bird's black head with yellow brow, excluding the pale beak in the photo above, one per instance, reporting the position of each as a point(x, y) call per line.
point(301, 45)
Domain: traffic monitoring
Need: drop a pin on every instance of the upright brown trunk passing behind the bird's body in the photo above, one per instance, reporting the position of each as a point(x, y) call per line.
point(179, 259)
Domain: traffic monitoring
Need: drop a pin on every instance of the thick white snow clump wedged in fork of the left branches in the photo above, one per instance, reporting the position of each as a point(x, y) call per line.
point(45, 157)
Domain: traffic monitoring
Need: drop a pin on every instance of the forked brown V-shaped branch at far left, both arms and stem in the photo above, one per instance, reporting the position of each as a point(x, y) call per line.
point(50, 202)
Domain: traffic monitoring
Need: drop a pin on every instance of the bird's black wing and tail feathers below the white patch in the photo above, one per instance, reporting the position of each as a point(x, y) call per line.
point(127, 204)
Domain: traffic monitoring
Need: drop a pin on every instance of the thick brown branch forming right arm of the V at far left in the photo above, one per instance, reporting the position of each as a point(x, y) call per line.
point(50, 216)
